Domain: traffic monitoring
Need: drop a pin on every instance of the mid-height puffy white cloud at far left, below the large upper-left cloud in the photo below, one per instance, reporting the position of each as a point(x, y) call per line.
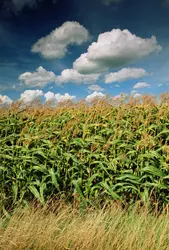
point(39, 78)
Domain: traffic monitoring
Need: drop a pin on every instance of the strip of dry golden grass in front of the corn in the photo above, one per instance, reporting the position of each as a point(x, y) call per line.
point(109, 229)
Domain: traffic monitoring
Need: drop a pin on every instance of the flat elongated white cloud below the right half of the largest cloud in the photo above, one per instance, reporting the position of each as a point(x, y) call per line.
point(125, 74)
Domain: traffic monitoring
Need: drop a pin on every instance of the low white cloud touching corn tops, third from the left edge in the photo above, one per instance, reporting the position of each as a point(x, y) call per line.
point(50, 96)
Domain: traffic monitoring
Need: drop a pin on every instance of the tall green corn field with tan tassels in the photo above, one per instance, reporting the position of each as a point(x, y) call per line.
point(86, 153)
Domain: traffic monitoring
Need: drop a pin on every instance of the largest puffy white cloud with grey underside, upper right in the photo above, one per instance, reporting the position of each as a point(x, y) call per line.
point(115, 49)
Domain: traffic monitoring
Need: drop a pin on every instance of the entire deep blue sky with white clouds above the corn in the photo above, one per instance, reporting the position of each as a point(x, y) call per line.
point(55, 65)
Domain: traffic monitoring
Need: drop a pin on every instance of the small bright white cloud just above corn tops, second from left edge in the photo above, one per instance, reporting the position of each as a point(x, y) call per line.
point(29, 96)
